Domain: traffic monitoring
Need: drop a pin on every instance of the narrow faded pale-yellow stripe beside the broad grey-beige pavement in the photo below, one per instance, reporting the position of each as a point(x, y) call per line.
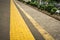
point(44, 33)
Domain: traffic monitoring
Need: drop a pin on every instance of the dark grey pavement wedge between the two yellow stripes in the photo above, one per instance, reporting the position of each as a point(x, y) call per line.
point(33, 30)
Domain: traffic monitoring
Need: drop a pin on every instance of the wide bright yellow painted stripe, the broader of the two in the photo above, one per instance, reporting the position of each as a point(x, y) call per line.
point(18, 28)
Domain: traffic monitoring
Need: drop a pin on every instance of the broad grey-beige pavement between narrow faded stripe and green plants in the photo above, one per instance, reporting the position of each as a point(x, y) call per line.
point(50, 24)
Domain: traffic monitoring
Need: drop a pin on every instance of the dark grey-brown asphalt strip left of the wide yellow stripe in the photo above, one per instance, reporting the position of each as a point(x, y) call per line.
point(4, 19)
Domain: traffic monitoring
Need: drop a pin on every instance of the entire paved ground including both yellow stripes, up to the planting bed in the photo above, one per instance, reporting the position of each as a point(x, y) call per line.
point(21, 22)
